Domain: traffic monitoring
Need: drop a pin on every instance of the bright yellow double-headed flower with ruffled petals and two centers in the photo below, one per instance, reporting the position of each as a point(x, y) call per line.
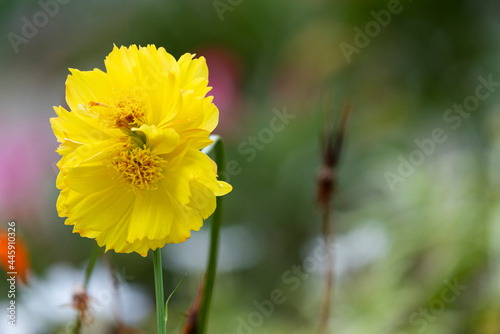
point(132, 175)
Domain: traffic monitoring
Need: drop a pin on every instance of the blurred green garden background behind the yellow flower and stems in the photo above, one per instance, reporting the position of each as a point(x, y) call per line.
point(418, 255)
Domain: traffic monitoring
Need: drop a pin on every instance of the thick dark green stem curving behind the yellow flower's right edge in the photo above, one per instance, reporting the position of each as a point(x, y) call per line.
point(219, 157)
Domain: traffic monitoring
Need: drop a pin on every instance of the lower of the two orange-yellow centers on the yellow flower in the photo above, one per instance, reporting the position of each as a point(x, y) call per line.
point(140, 168)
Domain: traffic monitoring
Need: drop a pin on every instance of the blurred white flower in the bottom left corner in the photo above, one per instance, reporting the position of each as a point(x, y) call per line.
point(47, 302)
